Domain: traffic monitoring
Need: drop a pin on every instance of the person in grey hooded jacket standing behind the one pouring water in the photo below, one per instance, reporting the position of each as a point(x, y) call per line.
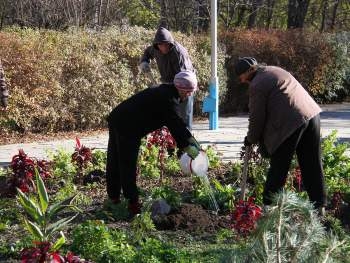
point(171, 58)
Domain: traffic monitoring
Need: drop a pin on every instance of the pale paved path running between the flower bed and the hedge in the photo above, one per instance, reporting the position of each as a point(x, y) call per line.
point(227, 139)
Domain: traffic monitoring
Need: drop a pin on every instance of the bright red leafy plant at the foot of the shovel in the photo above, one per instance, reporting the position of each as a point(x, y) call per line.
point(245, 216)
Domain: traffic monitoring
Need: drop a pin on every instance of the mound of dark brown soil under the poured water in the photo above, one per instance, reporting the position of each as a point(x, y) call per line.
point(191, 217)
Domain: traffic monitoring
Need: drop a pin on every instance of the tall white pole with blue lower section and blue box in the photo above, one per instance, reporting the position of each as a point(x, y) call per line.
point(211, 102)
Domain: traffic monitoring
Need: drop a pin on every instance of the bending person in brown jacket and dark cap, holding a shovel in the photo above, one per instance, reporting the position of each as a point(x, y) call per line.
point(283, 119)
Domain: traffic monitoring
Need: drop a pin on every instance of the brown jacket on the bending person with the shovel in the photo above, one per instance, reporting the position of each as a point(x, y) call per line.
point(278, 105)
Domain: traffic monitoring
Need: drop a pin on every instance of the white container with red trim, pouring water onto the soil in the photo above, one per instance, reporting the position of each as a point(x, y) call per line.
point(198, 166)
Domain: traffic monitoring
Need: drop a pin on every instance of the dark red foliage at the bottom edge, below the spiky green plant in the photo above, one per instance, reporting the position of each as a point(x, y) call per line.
point(40, 253)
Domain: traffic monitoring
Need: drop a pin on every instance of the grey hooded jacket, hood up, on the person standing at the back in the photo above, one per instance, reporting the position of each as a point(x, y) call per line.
point(176, 60)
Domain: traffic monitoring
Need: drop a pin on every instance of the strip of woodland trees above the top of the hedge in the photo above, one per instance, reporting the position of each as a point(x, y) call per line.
point(180, 15)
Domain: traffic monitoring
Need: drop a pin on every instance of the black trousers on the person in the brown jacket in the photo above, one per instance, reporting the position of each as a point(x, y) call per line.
point(306, 143)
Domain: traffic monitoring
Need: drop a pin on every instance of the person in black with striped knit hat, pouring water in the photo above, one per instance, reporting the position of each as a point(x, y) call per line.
point(134, 118)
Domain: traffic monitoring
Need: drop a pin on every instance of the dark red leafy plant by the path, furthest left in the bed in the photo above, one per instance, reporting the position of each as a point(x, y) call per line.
point(23, 171)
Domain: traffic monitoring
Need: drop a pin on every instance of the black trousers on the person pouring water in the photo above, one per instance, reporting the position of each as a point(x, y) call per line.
point(122, 154)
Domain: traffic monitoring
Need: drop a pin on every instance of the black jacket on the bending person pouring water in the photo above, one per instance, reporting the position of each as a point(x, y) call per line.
point(150, 110)
